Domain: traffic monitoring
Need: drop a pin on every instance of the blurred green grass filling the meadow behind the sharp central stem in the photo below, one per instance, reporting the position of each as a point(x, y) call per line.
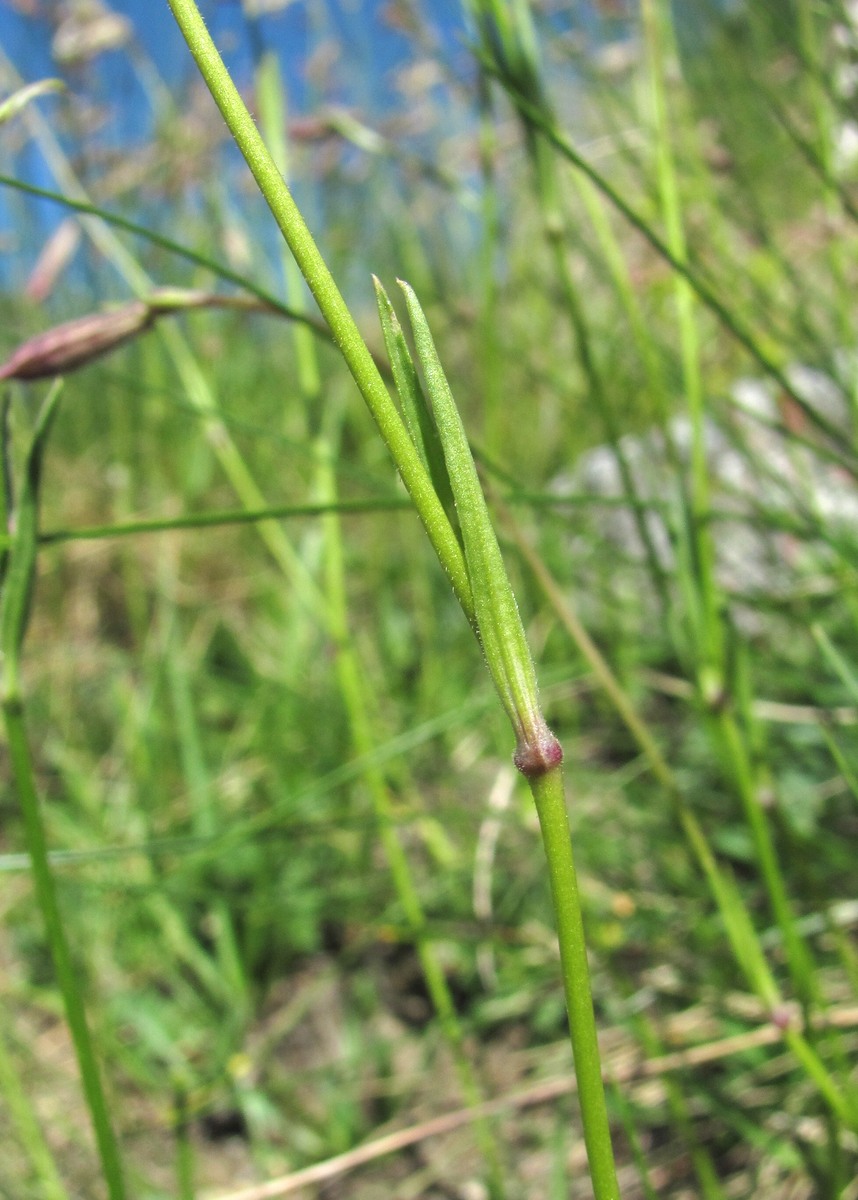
point(244, 957)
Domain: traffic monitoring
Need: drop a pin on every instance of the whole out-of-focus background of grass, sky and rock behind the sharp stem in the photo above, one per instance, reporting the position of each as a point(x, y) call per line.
point(681, 460)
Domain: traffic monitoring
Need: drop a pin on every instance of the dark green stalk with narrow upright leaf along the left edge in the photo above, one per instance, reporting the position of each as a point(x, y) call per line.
point(15, 605)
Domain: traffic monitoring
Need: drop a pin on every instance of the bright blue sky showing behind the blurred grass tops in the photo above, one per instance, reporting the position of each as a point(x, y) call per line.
point(118, 87)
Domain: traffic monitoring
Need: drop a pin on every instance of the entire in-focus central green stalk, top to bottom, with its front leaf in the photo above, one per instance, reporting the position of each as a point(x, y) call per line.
point(513, 676)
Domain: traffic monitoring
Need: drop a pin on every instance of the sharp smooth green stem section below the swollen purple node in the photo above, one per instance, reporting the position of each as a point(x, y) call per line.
point(551, 808)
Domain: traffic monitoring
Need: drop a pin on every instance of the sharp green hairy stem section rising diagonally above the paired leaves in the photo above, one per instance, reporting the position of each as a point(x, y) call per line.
point(332, 304)
